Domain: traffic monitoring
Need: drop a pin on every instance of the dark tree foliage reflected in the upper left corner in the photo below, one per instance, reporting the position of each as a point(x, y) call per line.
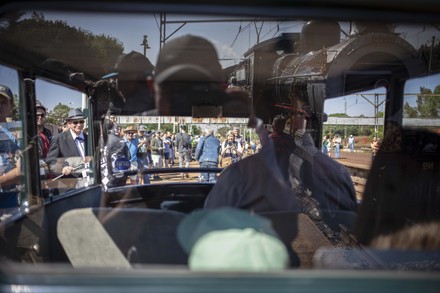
point(80, 50)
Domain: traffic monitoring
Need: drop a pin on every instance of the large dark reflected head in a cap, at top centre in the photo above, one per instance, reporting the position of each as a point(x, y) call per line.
point(188, 74)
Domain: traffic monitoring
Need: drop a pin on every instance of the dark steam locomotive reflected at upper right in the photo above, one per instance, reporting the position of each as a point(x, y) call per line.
point(294, 73)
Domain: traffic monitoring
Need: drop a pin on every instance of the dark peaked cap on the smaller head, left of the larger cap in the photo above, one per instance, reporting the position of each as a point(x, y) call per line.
point(133, 64)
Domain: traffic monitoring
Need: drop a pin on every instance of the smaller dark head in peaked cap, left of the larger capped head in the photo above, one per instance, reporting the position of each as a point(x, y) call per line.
point(134, 72)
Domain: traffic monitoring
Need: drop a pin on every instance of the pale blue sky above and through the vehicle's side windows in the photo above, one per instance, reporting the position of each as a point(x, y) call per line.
point(231, 40)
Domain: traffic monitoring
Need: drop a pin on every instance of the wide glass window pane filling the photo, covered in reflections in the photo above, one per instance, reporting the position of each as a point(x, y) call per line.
point(204, 142)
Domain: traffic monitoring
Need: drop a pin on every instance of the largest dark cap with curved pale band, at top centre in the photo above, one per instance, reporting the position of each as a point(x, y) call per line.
point(188, 59)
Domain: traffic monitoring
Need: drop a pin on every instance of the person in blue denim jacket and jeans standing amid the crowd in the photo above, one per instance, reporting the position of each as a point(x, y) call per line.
point(207, 152)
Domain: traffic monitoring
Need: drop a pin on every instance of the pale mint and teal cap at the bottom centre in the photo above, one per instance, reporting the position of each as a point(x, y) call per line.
point(229, 239)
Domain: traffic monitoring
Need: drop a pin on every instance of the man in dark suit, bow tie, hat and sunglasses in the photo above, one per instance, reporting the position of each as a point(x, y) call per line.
point(68, 150)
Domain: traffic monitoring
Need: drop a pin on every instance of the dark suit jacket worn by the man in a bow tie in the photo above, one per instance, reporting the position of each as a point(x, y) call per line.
point(63, 146)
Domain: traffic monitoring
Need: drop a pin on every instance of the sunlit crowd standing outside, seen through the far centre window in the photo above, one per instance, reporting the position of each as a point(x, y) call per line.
point(156, 149)
